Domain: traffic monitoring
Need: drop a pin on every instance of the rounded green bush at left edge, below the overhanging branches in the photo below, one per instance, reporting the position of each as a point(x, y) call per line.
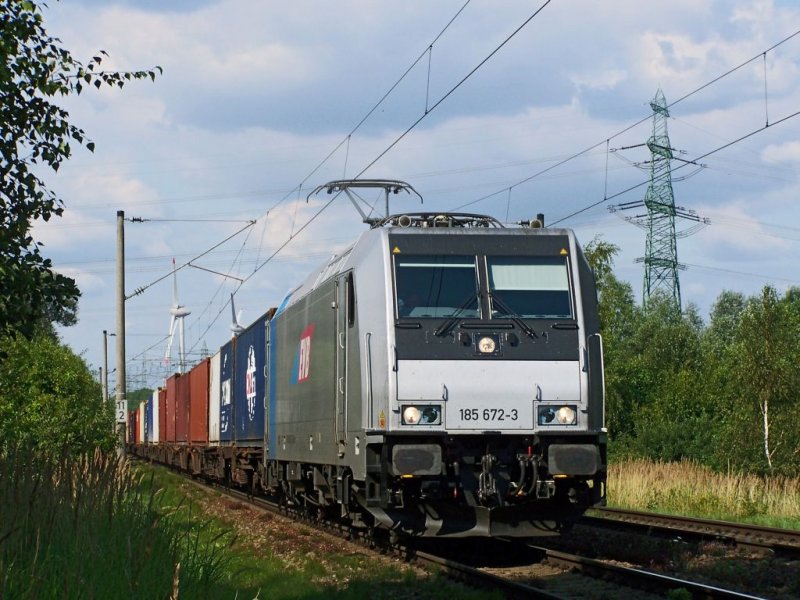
point(49, 400)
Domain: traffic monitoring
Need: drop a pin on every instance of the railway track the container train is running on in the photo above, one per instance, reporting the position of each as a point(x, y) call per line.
point(537, 572)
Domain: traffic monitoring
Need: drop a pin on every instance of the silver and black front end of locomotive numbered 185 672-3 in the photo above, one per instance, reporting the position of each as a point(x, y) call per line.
point(493, 419)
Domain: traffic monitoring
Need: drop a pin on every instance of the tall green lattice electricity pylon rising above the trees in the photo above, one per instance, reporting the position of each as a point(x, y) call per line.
point(661, 264)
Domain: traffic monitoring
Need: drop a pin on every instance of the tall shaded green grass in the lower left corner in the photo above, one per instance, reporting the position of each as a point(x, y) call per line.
point(85, 527)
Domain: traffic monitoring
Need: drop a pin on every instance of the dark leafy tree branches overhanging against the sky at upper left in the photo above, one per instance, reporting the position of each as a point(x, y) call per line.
point(34, 70)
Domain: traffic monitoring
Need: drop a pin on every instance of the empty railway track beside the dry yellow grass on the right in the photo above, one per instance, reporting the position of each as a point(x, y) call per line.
point(779, 542)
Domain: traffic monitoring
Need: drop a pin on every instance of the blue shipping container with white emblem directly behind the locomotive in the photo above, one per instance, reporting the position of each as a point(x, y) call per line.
point(248, 384)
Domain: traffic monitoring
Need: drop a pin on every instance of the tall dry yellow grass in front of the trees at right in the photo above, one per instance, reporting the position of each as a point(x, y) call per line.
point(688, 488)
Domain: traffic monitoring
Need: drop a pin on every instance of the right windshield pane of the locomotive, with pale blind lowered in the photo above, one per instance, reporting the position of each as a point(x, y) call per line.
point(529, 287)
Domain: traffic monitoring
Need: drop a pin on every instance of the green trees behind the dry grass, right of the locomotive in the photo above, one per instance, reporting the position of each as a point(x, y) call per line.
point(720, 394)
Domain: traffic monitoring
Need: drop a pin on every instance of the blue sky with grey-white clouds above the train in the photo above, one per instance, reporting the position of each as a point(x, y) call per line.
point(508, 108)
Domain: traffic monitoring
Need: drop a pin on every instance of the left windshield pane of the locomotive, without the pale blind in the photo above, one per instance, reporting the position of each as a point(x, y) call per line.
point(437, 286)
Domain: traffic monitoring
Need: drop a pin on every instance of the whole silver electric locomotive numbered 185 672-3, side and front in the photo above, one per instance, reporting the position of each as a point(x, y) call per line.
point(441, 377)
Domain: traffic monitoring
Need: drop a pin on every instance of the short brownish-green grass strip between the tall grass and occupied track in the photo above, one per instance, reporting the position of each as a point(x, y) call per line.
point(272, 558)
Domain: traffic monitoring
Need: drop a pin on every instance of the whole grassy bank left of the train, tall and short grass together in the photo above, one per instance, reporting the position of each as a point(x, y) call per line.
point(91, 528)
